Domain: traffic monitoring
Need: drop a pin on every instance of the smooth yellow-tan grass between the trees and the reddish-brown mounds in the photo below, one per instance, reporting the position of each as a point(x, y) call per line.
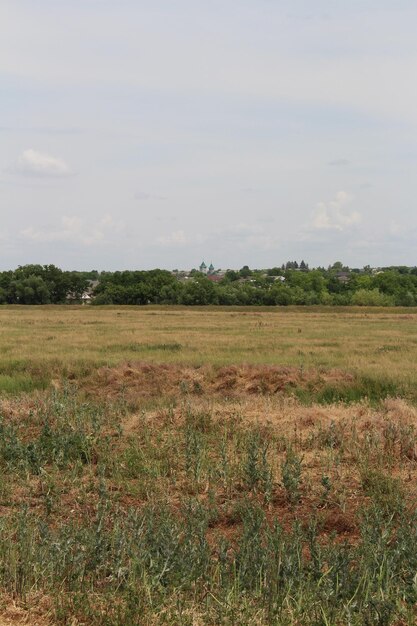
point(40, 343)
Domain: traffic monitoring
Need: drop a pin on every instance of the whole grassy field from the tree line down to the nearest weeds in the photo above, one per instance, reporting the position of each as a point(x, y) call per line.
point(208, 466)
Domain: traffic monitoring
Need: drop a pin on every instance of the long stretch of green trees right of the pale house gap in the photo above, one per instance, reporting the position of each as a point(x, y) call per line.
point(285, 285)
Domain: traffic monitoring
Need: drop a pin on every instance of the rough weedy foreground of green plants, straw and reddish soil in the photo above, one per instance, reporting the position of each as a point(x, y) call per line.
point(253, 511)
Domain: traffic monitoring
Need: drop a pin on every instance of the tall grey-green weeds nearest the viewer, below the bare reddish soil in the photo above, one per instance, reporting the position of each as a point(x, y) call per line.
point(125, 571)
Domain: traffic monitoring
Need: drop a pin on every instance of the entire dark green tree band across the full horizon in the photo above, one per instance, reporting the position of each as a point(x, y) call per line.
point(290, 284)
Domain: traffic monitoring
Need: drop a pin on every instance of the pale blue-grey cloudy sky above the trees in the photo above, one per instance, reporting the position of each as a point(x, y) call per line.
point(140, 134)
